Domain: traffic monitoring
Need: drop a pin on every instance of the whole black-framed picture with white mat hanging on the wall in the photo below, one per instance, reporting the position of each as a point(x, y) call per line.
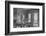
point(24, 17)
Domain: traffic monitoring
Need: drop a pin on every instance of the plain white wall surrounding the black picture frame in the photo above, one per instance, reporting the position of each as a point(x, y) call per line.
point(2, 18)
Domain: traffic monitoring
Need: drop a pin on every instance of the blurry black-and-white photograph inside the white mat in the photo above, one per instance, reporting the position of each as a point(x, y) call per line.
point(24, 17)
